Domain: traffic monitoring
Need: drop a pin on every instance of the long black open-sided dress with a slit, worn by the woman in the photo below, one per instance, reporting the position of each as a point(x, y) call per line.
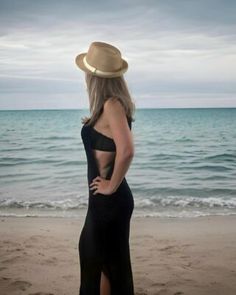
point(104, 239)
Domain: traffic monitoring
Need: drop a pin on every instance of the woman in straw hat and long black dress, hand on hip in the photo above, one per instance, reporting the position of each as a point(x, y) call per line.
point(105, 264)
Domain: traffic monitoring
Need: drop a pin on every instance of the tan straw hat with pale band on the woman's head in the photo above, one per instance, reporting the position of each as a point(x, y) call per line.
point(103, 60)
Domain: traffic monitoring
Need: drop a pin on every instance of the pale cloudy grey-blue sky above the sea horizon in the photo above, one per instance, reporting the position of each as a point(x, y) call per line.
point(180, 53)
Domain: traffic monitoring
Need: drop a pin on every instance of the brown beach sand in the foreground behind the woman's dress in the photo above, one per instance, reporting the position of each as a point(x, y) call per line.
point(39, 255)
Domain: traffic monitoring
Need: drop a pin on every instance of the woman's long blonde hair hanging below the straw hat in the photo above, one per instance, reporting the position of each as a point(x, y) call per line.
point(101, 89)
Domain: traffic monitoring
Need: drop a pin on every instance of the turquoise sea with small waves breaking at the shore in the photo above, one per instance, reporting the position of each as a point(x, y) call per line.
point(184, 163)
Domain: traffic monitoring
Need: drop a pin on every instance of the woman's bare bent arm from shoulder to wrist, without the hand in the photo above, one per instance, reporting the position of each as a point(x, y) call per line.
point(122, 136)
